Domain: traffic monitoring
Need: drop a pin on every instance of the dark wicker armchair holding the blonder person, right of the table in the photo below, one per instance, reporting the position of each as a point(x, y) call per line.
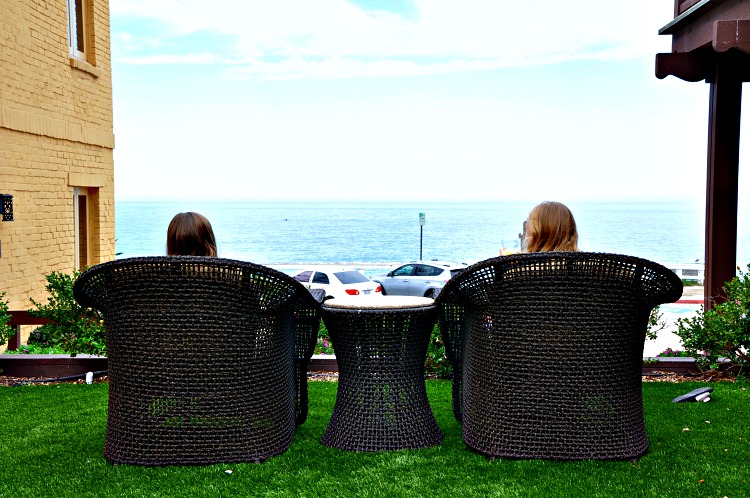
point(547, 352)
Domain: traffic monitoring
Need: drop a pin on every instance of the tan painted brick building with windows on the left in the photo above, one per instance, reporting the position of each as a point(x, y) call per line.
point(56, 141)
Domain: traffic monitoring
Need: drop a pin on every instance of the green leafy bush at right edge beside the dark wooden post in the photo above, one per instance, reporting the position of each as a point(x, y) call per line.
point(722, 331)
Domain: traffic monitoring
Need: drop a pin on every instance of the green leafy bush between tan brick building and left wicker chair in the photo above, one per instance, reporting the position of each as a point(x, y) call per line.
point(74, 329)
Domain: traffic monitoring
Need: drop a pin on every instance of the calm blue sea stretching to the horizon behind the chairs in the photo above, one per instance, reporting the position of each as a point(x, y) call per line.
point(376, 235)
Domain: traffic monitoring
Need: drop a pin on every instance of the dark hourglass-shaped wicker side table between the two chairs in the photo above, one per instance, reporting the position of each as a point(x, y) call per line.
point(380, 345)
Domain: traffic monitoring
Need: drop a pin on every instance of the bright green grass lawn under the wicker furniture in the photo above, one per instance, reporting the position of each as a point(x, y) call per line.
point(53, 438)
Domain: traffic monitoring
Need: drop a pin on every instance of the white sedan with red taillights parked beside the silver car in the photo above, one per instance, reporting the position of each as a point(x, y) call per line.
point(339, 282)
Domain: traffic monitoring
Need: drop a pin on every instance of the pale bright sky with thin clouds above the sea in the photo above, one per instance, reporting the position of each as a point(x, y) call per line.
point(403, 100)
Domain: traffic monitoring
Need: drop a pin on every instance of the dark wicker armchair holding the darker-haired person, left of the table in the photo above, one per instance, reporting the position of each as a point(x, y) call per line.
point(207, 358)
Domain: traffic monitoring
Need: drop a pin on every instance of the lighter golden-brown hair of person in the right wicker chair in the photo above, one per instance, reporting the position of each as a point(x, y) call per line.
point(551, 227)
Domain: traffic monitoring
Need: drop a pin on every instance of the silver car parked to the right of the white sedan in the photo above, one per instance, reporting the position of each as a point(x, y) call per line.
point(419, 278)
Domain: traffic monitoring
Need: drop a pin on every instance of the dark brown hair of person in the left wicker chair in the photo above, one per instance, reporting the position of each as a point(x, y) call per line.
point(190, 234)
